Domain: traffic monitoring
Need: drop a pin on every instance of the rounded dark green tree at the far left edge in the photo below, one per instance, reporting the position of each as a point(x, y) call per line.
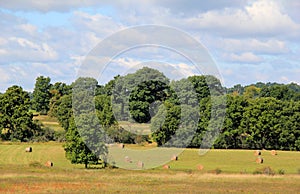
point(15, 119)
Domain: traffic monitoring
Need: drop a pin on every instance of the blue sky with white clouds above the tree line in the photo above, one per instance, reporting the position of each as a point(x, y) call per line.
point(249, 40)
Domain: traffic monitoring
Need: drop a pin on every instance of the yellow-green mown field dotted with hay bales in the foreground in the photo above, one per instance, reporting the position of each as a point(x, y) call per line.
point(18, 175)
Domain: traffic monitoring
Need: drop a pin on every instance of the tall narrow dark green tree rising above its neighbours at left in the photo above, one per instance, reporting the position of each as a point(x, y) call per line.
point(41, 95)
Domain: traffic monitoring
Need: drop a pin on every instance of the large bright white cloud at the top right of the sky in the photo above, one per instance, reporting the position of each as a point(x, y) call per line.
point(261, 18)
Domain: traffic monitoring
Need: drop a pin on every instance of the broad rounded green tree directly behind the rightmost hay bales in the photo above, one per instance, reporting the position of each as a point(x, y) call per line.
point(261, 121)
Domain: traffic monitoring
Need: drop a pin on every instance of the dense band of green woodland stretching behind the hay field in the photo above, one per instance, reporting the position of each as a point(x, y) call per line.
point(257, 116)
